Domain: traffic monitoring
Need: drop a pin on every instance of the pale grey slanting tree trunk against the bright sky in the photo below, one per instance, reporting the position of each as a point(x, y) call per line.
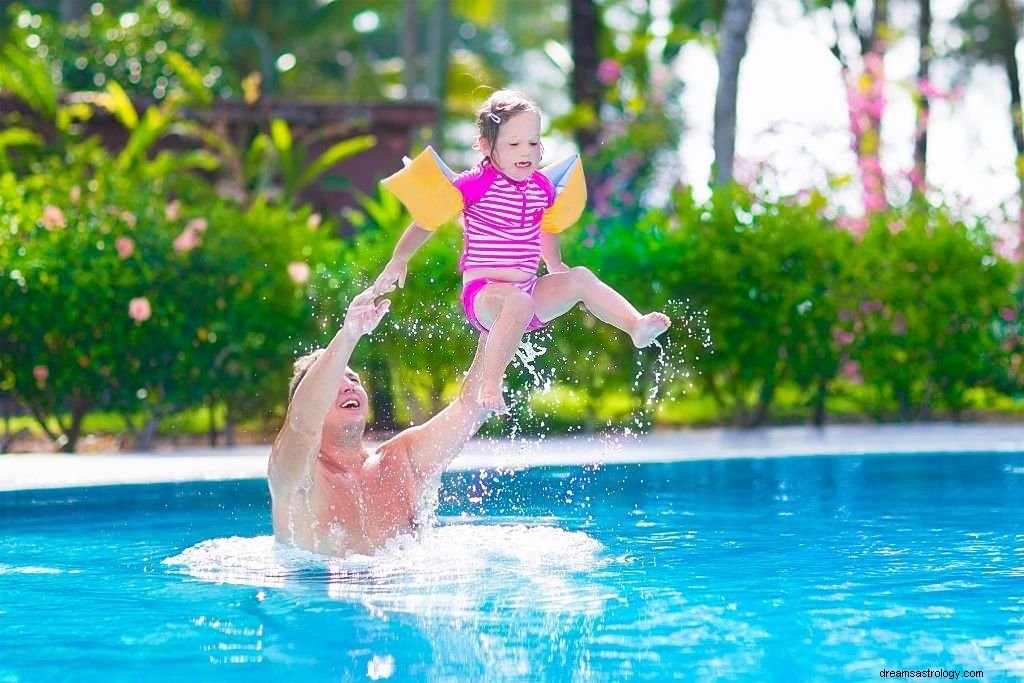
point(736, 26)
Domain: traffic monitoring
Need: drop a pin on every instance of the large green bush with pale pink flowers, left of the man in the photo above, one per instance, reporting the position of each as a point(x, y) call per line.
point(107, 307)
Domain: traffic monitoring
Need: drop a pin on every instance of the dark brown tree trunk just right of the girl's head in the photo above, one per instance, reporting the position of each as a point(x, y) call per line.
point(585, 31)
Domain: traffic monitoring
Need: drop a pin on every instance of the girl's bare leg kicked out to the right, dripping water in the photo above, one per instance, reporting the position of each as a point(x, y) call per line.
point(559, 292)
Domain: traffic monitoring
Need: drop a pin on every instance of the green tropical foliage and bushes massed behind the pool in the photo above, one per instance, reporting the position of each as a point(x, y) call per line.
point(144, 284)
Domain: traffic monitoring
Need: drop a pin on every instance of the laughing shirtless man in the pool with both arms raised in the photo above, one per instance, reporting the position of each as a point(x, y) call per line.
point(330, 494)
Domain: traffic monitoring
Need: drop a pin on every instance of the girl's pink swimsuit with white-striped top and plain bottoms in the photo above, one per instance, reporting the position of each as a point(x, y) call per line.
point(502, 229)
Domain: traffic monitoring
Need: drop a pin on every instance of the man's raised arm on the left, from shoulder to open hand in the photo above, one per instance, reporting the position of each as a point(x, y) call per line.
point(298, 441)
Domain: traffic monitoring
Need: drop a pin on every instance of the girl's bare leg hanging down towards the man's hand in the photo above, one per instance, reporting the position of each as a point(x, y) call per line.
point(506, 311)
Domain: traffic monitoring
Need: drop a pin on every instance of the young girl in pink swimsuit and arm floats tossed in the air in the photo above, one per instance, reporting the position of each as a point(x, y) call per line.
point(504, 200)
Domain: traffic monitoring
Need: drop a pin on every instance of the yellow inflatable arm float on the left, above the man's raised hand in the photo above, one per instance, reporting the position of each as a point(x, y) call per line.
point(424, 186)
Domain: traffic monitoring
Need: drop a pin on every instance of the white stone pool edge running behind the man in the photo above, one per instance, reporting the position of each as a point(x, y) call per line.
point(28, 472)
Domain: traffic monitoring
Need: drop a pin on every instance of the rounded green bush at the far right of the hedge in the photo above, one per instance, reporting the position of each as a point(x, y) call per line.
point(930, 290)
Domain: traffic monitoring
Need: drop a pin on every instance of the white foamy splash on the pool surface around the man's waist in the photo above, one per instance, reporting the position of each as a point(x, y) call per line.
point(445, 572)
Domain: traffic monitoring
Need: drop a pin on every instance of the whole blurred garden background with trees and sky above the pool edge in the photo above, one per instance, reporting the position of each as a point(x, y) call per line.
point(825, 195)
